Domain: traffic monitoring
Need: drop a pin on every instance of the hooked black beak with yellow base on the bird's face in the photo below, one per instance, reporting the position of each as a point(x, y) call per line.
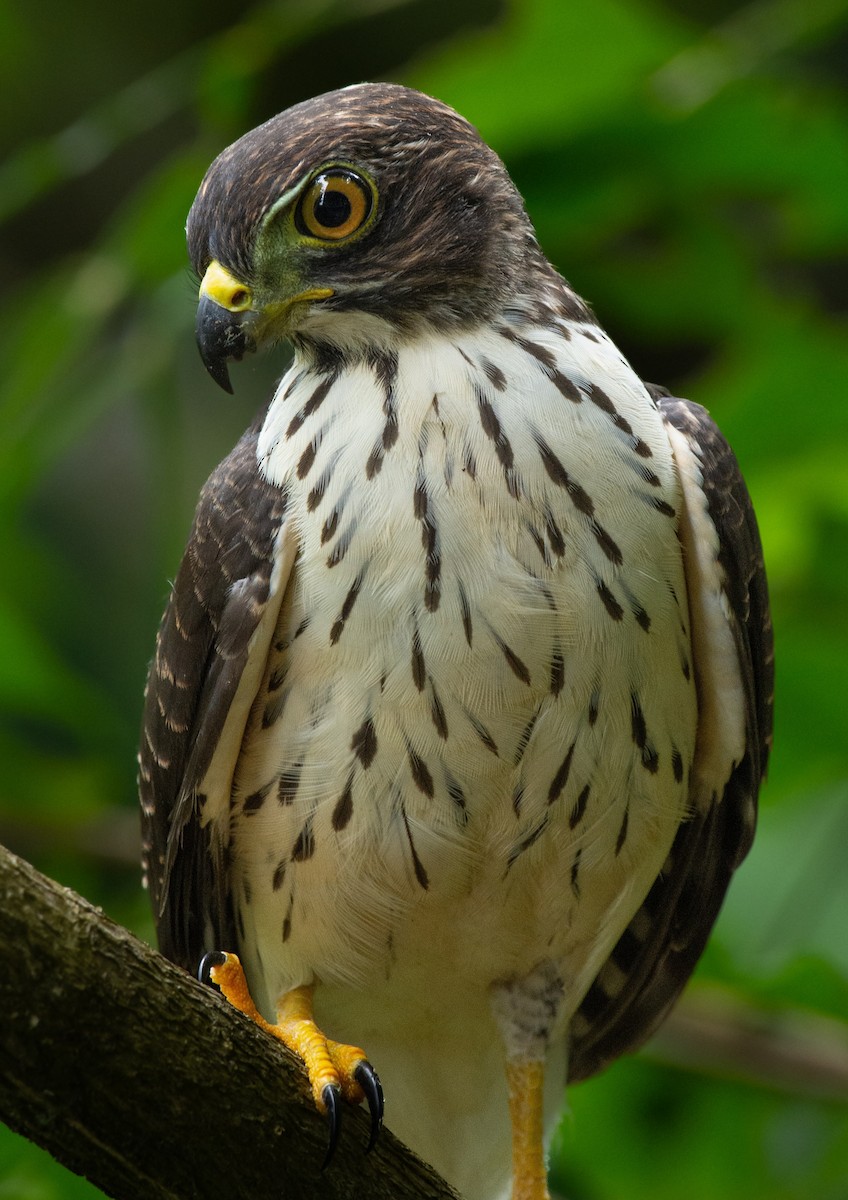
point(224, 320)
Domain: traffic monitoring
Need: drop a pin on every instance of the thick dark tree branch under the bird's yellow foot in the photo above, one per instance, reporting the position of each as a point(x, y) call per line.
point(135, 1076)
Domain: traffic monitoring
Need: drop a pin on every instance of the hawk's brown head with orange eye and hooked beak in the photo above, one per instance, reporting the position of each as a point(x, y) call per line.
point(371, 202)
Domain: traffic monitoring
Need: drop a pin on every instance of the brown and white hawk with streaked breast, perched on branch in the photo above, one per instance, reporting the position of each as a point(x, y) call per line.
point(461, 703)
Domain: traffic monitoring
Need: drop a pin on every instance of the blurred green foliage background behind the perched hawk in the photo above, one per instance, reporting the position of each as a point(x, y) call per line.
point(687, 166)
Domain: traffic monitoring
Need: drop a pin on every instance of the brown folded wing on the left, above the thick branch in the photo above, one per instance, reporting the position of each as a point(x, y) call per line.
point(197, 700)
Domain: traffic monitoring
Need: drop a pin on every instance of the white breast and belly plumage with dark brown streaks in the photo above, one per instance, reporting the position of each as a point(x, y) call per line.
point(478, 724)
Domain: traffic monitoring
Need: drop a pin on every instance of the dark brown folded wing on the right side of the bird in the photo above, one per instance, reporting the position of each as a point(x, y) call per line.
point(660, 949)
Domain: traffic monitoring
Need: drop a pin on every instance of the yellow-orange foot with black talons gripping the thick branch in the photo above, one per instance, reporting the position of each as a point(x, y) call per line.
point(335, 1070)
